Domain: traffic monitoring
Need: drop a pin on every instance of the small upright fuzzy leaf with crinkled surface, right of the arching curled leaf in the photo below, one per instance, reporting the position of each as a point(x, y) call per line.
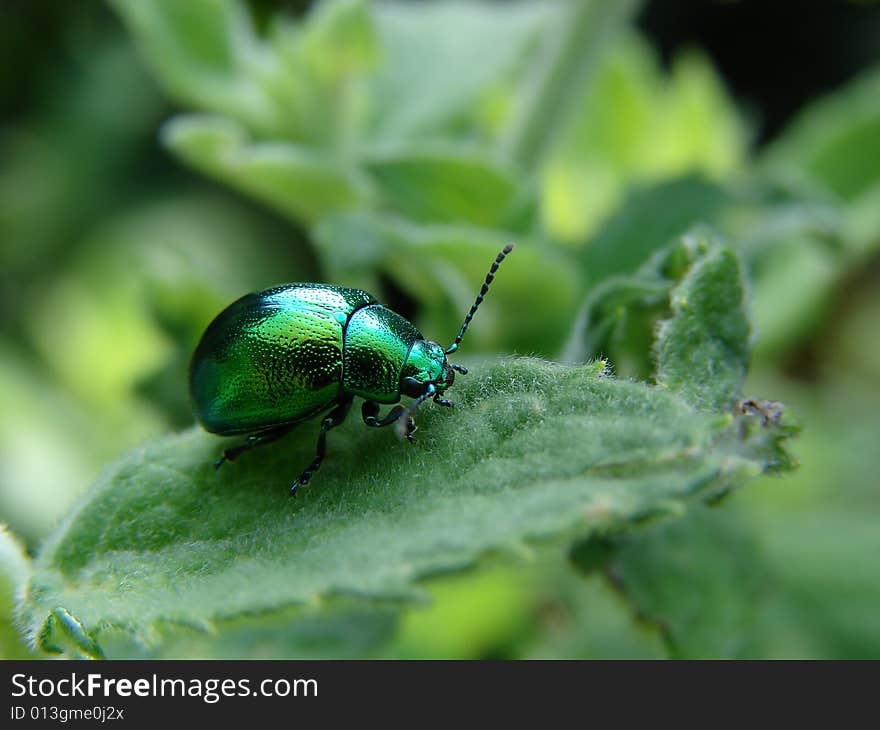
point(702, 351)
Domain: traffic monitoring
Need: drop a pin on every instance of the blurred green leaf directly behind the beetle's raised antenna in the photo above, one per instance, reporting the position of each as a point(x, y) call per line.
point(440, 267)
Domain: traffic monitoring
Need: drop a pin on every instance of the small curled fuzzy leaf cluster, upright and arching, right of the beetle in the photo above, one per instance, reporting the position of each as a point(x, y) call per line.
point(702, 347)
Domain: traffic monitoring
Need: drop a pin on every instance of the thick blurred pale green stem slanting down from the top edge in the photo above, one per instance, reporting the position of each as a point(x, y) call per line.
point(567, 57)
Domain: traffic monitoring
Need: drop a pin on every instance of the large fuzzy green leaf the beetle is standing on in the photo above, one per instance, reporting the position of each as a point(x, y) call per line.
point(533, 451)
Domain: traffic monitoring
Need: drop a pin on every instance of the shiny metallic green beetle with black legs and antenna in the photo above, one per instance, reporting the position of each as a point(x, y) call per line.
point(275, 358)
